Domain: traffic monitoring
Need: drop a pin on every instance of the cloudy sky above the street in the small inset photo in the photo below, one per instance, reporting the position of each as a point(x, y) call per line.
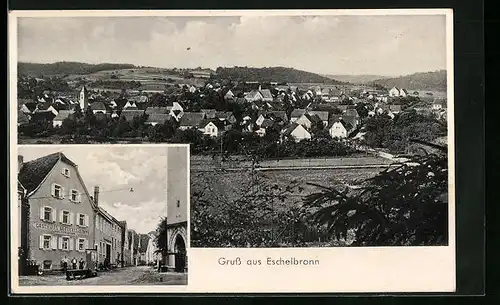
point(116, 170)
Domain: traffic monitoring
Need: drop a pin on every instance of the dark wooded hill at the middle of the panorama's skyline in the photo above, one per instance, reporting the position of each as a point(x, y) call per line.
point(273, 74)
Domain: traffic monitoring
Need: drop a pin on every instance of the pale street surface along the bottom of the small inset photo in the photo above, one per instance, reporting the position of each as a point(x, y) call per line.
point(141, 275)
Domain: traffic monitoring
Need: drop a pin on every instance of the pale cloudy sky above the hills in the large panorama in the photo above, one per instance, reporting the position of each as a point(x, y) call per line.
point(387, 45)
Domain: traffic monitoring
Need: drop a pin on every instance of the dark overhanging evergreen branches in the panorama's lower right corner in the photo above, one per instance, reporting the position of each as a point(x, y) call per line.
point(405, 205)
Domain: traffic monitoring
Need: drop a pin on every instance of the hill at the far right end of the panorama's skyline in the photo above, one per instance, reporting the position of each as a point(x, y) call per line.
point(418, 81)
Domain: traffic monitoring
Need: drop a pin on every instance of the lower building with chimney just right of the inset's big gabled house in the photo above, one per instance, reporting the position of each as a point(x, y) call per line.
point(108, 235)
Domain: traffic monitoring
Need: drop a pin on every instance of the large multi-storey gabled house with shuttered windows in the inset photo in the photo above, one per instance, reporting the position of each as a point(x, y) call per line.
point(61, 210)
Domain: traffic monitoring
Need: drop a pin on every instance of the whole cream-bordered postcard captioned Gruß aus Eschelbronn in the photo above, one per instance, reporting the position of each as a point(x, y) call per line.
point(263, 151)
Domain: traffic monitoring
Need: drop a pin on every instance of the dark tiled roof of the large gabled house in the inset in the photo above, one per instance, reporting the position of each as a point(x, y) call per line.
point(33, 172)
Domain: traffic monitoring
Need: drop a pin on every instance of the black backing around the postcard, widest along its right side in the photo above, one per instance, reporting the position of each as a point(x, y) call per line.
point(469, 83)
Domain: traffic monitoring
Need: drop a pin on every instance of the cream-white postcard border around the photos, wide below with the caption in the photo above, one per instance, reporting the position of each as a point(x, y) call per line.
point(404, 269)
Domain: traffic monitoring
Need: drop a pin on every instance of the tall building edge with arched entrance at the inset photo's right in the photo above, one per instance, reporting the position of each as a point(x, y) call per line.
point(177, 200)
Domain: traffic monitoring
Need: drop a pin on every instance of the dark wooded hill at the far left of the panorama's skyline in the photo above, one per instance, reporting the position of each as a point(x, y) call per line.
point(66, 68)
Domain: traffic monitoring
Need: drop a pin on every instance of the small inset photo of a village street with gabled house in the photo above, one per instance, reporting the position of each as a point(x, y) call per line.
point(102, 215)
